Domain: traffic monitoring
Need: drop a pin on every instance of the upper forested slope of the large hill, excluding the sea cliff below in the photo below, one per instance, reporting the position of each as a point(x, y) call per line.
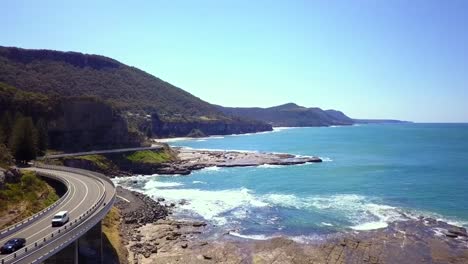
point(77, 74)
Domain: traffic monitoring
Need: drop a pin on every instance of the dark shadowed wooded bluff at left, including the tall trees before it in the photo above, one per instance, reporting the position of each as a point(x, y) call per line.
point(31, 123)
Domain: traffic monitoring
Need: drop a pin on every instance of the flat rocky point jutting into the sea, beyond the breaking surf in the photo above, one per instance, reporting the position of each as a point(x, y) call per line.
point(184, 161)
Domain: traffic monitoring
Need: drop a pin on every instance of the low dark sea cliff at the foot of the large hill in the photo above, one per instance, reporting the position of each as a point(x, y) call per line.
point(163, 128)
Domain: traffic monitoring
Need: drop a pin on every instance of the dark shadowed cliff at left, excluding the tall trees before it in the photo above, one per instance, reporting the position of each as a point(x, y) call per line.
point(73, 124)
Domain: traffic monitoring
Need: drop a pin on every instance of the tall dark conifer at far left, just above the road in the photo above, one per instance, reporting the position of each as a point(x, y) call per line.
point(23, 140)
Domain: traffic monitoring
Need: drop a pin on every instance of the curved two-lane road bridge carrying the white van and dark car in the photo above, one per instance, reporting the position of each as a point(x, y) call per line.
point(88, 199)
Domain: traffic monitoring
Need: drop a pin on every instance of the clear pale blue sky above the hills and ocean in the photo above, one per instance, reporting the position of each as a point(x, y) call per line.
point(369, 58)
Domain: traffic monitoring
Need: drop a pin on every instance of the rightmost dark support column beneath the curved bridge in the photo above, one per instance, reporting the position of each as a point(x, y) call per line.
point(90, 246)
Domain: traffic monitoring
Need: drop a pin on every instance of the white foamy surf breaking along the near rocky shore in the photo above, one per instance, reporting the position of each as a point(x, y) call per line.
point(223, 206)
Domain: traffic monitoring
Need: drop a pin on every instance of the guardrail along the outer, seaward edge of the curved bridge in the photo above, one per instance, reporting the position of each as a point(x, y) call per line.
point(73, 226)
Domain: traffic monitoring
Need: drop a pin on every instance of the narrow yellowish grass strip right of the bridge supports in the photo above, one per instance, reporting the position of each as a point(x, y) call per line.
point(111, 229)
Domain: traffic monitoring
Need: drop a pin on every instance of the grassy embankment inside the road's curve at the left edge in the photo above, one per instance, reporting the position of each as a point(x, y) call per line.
point(25, 198)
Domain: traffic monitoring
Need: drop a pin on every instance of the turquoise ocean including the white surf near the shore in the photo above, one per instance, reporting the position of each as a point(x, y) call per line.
point(371, 175)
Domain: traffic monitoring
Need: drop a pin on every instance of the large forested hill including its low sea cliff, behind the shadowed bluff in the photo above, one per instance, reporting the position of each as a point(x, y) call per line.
point(135, 93)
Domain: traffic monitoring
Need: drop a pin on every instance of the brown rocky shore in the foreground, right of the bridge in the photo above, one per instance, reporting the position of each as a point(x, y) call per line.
point(152, 235)
